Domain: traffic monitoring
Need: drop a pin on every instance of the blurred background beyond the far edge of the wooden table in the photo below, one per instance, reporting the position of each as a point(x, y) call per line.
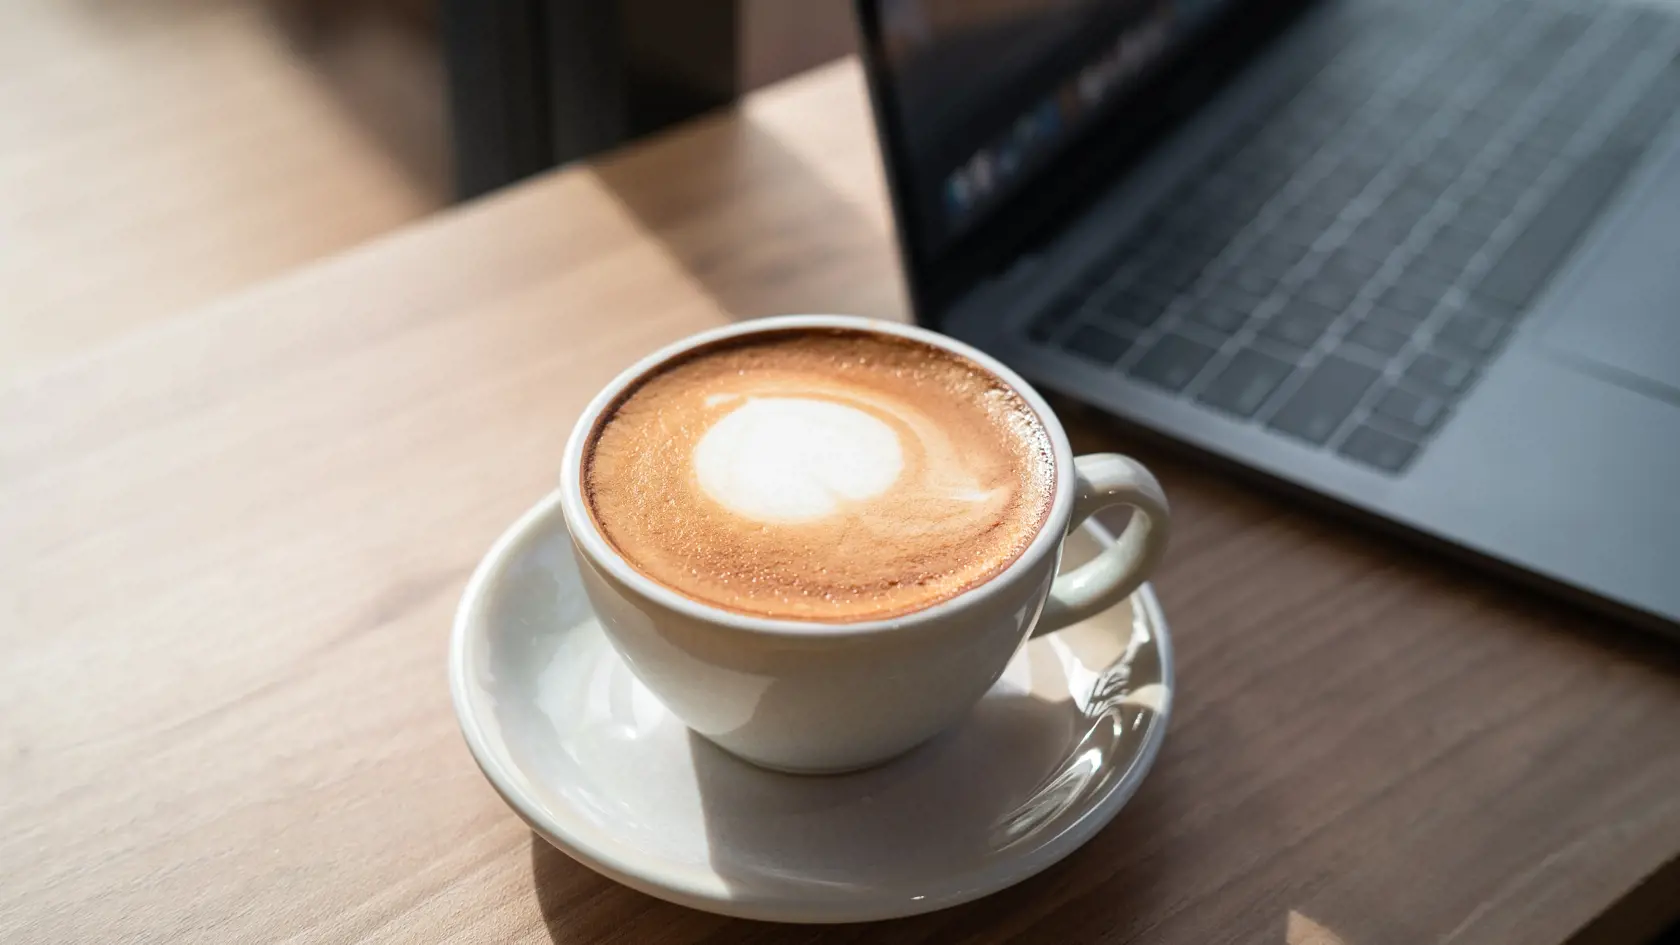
point(160, 154)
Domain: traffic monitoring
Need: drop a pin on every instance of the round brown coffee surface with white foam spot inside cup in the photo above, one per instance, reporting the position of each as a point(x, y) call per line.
point(821, 475)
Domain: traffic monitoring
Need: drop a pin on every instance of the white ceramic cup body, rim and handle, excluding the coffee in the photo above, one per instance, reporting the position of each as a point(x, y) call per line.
point(816, 699)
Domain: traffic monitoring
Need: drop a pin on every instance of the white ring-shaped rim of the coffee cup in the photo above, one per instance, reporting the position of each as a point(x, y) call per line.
point(606, 557)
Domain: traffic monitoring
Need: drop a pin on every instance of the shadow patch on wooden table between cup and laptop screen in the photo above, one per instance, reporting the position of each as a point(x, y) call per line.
point(757, 228)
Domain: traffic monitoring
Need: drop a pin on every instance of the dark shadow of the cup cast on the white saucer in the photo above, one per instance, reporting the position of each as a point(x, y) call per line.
point(1027, 754)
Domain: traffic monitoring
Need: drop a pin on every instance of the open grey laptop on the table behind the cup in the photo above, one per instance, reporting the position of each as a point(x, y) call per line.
point(1419, 258)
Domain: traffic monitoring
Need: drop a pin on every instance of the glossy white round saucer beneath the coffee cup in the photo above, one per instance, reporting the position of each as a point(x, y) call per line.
point(597, 766)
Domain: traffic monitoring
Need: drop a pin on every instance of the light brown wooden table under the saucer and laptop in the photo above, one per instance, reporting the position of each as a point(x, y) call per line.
point(231, 547)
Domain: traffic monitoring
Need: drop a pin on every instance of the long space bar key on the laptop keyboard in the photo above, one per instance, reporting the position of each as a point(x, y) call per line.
point(1550, 236)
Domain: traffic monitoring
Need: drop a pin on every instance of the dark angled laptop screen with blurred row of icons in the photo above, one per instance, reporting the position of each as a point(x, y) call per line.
point(980, 102)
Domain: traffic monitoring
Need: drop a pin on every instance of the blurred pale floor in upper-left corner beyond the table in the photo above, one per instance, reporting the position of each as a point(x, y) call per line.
point(162, 154)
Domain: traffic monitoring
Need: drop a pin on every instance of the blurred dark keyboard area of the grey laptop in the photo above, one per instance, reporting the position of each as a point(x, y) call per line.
point(1343, 270)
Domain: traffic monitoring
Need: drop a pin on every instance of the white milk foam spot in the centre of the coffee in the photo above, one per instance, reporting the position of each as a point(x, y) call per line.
point(795, 460)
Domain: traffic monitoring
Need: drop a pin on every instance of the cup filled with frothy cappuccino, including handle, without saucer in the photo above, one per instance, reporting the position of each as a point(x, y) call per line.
point(819, 541)
